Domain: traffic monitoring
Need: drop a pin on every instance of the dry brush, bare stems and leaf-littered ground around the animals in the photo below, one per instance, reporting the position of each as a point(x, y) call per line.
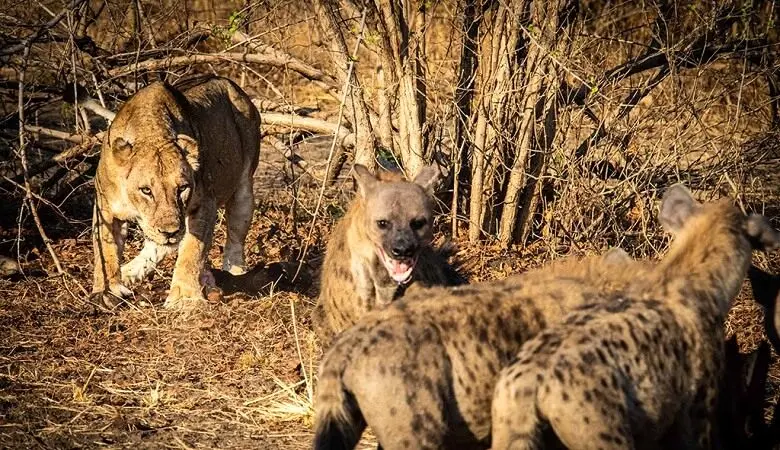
point(559, 124)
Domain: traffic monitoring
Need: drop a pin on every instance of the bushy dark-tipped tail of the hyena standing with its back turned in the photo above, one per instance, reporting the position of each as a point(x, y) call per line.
point(339, 422)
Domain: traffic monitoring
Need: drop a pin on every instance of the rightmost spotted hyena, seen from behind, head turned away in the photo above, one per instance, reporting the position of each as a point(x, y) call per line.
point(642, 369)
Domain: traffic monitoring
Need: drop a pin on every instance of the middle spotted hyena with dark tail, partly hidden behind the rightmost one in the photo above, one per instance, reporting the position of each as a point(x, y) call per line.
point(421, 372)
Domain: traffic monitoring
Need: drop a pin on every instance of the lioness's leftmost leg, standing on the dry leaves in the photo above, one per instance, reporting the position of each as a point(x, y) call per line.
point(108, 237)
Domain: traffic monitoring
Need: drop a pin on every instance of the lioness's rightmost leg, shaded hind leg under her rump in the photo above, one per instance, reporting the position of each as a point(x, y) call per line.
point(239, 216)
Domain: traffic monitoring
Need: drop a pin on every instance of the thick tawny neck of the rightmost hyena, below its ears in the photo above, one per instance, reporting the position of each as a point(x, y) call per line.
point(708, 261)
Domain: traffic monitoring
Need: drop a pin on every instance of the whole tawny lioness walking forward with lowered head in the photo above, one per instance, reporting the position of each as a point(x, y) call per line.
point(168, 160)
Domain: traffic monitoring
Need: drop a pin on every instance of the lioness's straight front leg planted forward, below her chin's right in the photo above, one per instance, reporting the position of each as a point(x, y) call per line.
point(186, 292)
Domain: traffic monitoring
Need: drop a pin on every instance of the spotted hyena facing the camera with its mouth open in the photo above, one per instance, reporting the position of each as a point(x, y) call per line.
point(380, 247)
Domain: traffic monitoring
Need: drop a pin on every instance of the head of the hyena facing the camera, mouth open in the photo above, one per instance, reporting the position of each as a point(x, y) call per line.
point(398, 217)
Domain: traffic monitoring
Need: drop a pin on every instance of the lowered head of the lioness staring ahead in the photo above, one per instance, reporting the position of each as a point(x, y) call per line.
point(158, 184)
